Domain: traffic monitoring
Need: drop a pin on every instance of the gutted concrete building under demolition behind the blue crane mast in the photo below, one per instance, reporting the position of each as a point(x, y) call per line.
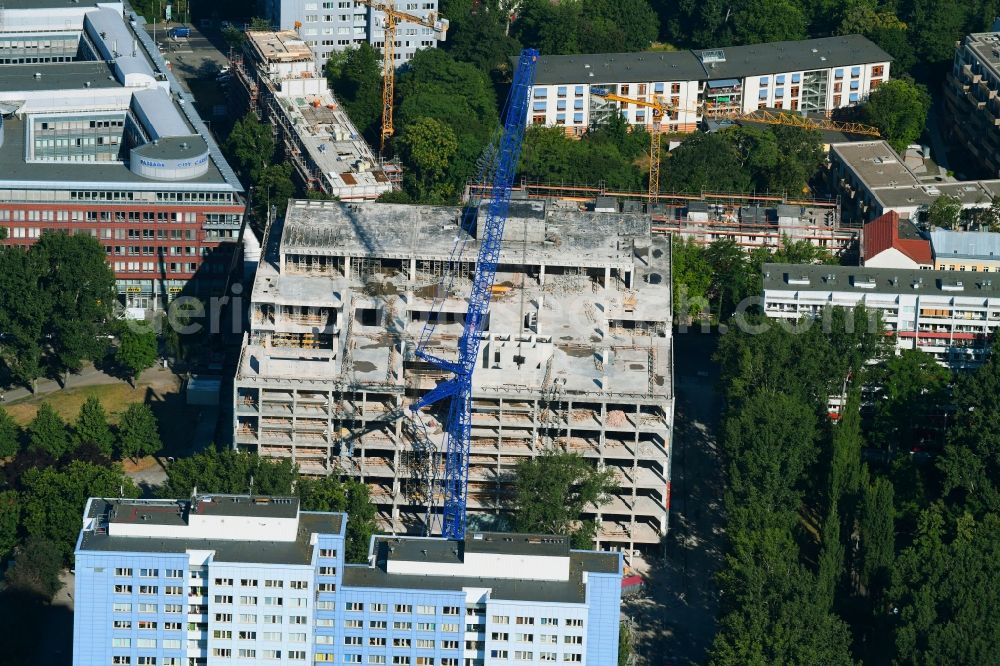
point(575, 355)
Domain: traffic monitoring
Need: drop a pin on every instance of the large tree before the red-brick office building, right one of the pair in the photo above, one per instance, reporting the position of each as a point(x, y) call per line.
point(81, 291)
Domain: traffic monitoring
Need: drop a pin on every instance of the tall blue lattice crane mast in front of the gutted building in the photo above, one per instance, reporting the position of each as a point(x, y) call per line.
point(458, 389)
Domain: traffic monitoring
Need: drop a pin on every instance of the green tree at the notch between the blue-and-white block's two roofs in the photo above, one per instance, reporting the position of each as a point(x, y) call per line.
point(350, 496)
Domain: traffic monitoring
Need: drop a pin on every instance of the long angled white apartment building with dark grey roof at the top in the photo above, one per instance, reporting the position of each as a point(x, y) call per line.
point(816, 75)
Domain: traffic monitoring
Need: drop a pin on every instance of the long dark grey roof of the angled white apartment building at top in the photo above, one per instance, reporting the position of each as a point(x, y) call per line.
point(726, 63)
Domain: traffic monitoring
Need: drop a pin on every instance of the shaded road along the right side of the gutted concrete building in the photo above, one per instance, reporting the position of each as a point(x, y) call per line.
point(676, 620)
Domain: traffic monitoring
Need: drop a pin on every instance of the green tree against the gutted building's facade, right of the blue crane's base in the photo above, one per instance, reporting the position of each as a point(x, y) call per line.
point(552, 490)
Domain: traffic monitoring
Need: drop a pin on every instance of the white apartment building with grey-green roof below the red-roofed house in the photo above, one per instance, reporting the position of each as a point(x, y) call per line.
point(945, 313)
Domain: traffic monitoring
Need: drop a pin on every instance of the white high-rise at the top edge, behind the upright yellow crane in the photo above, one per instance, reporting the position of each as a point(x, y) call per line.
point(328, 26)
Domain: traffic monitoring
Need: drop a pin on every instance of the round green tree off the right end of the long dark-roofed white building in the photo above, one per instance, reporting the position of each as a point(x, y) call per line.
point(898, 108)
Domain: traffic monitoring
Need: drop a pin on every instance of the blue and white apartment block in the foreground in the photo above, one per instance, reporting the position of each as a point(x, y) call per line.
point(237, 580)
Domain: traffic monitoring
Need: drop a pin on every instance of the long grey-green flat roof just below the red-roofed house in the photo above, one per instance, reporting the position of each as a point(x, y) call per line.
point(861, 279)
